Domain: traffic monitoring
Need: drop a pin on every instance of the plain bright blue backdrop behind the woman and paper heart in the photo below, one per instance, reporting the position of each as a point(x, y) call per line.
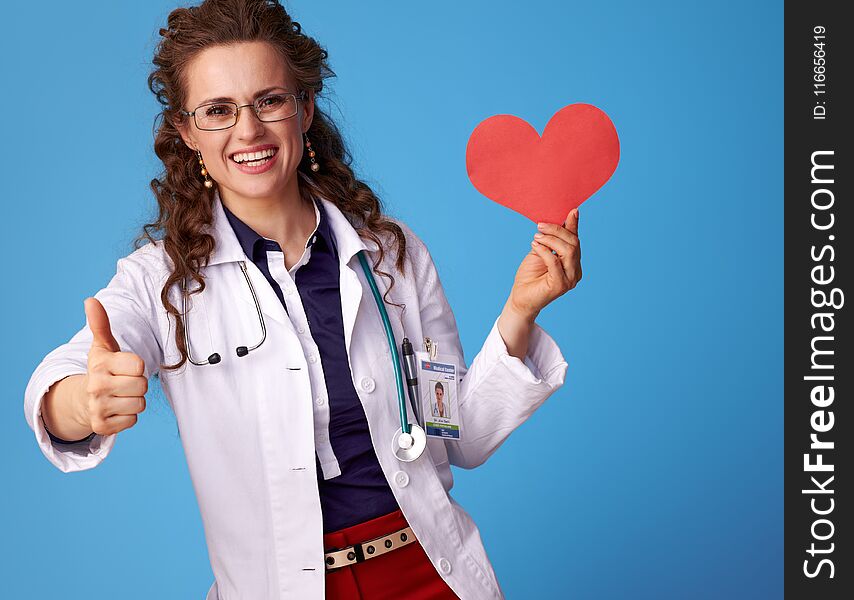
point(655, 472)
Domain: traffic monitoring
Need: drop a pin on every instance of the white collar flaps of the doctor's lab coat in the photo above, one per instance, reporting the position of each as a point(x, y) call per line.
point(228, 248)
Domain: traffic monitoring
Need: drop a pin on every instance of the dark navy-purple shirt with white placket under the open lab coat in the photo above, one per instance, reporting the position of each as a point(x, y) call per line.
point(361, 491)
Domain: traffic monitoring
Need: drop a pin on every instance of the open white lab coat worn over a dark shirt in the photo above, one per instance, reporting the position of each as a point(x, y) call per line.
point(250, 427)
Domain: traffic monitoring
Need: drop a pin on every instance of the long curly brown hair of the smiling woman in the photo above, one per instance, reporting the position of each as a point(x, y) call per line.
point(185, 205)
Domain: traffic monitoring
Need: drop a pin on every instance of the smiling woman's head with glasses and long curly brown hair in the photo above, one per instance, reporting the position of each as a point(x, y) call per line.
point(204, 85)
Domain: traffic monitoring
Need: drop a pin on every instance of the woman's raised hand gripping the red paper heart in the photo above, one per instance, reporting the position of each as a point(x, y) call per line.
point(544, 276)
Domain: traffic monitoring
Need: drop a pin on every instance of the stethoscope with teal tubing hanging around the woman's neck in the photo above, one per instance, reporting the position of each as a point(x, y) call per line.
point(410, 440)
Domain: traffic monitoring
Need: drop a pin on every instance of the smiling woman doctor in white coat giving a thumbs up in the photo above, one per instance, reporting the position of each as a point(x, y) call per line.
point(277, 368)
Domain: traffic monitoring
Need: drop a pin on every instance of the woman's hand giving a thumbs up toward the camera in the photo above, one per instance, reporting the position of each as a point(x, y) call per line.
point(115, 383)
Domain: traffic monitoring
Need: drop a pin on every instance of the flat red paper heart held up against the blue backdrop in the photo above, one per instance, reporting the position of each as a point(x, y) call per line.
point(544, 177)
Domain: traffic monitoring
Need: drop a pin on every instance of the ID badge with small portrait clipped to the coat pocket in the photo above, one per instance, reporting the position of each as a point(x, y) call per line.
point(437, 385)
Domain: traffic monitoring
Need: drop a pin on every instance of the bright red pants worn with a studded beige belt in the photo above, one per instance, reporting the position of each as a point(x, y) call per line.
point(402, 573)
